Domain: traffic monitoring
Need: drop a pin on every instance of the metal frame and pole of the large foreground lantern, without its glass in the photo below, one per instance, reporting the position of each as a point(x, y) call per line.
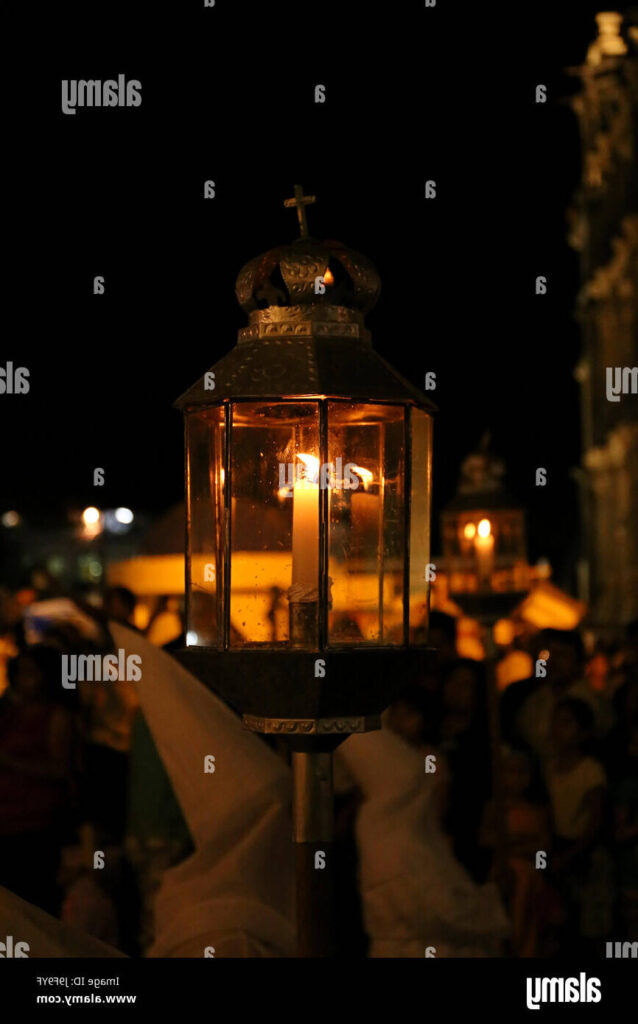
point(319, 345)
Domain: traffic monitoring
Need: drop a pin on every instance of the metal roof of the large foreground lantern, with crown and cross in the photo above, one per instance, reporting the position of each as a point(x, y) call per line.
point(306, 303)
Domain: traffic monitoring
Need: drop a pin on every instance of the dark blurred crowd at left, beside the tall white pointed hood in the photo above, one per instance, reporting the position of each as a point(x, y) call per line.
point(80, 778)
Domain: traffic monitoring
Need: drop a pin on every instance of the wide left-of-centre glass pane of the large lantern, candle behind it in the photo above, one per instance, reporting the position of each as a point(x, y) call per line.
point(275, 520)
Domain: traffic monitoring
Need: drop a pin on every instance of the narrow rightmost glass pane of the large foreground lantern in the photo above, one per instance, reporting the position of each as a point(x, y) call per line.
point(421, 484)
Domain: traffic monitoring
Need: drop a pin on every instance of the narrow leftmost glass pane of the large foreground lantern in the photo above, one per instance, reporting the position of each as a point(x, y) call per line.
point(205, 487)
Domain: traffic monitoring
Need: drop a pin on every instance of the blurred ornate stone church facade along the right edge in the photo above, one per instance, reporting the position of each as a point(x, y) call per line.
point(605, 232)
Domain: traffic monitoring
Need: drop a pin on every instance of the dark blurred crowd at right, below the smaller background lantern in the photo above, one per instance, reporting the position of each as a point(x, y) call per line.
point(563, 839)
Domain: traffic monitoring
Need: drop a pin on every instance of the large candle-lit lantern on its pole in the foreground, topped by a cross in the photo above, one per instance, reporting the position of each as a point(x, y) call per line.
point(309, 477)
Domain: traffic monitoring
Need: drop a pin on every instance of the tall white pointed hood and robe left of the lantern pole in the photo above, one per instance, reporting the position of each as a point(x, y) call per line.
point(235, 893)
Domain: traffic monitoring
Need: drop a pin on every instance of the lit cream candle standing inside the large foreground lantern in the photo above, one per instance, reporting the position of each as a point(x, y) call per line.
point(306, 532)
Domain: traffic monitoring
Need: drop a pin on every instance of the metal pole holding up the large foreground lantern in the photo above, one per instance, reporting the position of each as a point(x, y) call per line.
point(314, 837)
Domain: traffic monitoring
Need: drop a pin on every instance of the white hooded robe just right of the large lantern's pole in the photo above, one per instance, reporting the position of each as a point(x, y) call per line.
point(415, 894)
